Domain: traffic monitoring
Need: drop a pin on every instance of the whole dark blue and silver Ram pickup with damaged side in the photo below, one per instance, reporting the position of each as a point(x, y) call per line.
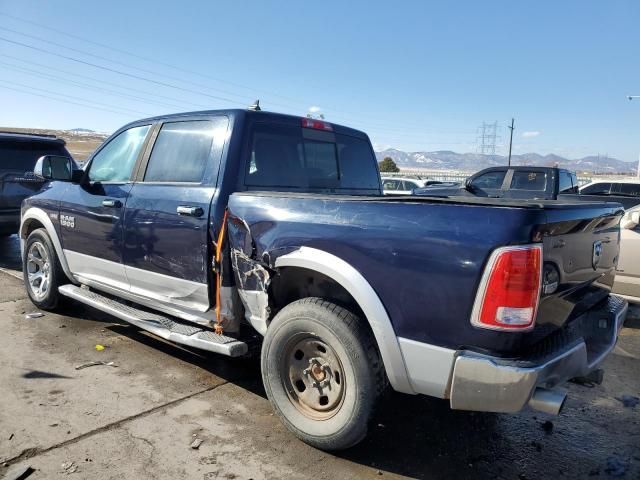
point(235, 230)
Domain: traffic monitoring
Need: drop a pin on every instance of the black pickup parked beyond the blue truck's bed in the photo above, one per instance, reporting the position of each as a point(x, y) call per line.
point(523, 182)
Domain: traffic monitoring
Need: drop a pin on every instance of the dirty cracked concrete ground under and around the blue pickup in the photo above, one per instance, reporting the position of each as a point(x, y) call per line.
point(138, 420)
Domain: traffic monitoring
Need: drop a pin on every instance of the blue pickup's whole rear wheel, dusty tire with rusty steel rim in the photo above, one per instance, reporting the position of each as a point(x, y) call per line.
point(350, 363)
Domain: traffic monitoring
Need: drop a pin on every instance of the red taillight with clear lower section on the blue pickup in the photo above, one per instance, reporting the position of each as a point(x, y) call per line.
point(510, 289)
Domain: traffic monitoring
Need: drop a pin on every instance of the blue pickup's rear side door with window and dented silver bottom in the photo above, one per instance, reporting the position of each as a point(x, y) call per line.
point(167, 248)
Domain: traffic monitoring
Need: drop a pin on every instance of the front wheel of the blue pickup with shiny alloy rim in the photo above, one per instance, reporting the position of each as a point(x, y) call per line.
point(54, 274)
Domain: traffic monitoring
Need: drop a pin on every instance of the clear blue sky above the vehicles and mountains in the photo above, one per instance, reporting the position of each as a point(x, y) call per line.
point(417, 76)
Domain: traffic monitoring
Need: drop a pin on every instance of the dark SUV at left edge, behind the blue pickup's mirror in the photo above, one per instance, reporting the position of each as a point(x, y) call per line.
point(18, 155)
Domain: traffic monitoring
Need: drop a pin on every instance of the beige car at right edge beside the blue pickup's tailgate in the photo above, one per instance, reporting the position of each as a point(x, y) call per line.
point(627, 283)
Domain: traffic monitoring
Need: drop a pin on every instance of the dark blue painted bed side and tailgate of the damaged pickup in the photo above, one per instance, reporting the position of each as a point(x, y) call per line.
point(436, 250)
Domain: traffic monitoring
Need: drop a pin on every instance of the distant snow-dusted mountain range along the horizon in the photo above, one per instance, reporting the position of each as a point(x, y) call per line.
point(448, 160)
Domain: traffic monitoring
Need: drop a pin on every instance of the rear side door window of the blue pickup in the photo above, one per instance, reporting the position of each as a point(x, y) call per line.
point(181, 151)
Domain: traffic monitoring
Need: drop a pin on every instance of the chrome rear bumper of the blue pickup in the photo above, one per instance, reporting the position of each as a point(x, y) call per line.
point(491, 384)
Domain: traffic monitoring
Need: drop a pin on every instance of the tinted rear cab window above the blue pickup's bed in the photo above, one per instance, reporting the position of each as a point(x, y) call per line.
point(292, 158)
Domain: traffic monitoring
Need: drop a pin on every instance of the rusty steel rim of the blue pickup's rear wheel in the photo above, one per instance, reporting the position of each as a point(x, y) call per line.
point(314, 377)
